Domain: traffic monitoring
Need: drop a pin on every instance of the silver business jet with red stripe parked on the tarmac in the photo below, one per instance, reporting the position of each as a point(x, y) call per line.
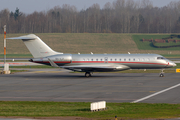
point(90, 63)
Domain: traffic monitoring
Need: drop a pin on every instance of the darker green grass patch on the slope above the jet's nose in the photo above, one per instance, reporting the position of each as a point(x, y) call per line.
point(148, 45)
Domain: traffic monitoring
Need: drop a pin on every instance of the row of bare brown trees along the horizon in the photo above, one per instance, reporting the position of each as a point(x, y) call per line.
point(120, 16)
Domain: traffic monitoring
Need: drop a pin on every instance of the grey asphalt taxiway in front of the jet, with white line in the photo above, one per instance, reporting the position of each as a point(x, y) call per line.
point(74, 87)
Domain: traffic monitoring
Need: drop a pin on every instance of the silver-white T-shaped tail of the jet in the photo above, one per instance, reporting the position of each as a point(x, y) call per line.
point(36, 46)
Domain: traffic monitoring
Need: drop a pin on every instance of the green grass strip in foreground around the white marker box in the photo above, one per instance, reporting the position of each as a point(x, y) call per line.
point(82, 109)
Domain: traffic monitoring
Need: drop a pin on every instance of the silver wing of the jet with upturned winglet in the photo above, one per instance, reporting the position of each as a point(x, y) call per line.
point(92, 67)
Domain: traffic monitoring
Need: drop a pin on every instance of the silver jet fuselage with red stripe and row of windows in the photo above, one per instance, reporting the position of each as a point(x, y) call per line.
point(129, 61)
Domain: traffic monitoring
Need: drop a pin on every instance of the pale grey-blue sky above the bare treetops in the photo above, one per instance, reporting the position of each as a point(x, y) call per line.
point(29, 6)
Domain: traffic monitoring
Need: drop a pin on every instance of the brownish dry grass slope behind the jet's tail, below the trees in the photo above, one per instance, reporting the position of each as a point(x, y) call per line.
point(75, 42)
